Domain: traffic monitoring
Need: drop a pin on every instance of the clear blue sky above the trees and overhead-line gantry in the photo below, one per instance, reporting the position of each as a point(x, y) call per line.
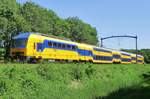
point(109, 17)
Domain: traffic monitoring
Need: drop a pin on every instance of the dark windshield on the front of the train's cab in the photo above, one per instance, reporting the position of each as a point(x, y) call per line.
point(19, 43)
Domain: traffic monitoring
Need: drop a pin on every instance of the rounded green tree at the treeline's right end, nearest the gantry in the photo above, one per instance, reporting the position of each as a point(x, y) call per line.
point(80, 31)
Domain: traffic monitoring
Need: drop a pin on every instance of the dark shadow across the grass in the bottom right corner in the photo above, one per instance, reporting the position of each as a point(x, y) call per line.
point(136, 92)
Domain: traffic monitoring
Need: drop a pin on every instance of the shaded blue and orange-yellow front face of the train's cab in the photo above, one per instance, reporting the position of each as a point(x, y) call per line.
point(18, 46)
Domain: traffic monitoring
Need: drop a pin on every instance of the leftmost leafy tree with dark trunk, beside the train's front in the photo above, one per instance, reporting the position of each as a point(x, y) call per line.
point(10, 23)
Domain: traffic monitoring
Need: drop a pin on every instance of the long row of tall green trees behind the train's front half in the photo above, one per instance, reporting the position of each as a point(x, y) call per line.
point(30, 17)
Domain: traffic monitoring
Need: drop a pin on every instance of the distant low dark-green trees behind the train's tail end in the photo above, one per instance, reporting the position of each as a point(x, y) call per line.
point(144, 52)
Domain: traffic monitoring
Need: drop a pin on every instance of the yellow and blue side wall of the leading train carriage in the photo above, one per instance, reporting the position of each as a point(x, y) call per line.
point(49, 52)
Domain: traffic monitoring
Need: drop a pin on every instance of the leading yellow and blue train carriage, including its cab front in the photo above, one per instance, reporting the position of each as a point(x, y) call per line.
point(35, 46)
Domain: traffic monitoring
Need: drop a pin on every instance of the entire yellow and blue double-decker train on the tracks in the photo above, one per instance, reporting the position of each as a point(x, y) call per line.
point(36, 46)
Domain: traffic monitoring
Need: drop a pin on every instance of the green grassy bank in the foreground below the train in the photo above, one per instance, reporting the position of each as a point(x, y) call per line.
point(73, 81)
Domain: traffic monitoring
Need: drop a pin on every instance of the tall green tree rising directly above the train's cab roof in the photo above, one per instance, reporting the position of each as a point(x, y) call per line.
point(39, 19)
